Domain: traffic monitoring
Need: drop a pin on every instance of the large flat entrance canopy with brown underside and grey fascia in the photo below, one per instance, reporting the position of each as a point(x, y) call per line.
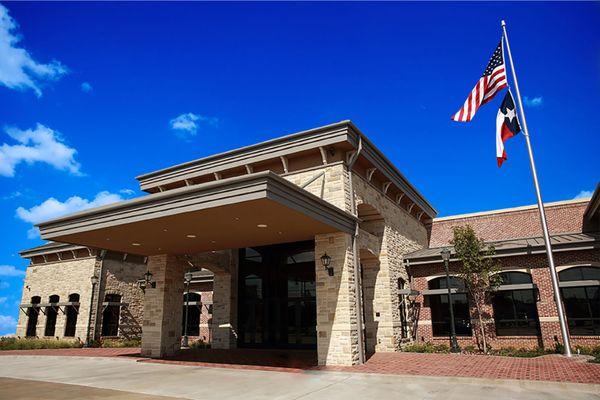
point(245, 211)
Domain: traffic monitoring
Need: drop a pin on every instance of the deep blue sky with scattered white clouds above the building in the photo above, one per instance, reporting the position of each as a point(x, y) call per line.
point(94, 94)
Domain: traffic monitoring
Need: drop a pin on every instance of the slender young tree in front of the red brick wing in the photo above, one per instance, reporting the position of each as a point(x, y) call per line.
point(478, 270)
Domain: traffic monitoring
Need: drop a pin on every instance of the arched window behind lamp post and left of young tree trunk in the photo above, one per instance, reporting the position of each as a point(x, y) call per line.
point(440, 311)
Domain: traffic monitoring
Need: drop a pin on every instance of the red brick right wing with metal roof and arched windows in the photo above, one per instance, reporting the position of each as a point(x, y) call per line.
point(522, 311)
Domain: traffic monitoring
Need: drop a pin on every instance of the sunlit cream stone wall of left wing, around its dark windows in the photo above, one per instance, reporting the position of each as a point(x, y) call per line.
point(60, 278)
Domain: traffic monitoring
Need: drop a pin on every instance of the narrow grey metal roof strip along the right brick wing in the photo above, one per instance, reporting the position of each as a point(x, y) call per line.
point(514, 247)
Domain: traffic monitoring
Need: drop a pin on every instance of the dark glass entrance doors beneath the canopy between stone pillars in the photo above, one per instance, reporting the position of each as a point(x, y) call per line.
point(277, 297)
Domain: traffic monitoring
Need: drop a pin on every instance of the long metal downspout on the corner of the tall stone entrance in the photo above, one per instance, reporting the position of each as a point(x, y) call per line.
point(357, 271)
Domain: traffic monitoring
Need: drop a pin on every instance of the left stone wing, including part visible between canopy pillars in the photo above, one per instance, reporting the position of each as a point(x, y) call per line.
point(59, 293)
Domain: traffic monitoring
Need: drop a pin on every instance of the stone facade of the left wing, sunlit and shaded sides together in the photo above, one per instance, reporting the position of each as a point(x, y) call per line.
point(68, 273)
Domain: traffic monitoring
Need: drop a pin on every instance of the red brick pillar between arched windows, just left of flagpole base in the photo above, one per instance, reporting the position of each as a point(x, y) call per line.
point(546, 306)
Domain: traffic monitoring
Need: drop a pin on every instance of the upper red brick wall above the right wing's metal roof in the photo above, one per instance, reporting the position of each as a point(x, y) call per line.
point(562, 218)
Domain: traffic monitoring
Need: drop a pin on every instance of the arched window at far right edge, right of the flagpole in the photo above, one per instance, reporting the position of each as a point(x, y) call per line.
point(580, 288)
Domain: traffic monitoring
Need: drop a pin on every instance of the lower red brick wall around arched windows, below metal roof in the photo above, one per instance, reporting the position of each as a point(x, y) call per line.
point(538, 266)
